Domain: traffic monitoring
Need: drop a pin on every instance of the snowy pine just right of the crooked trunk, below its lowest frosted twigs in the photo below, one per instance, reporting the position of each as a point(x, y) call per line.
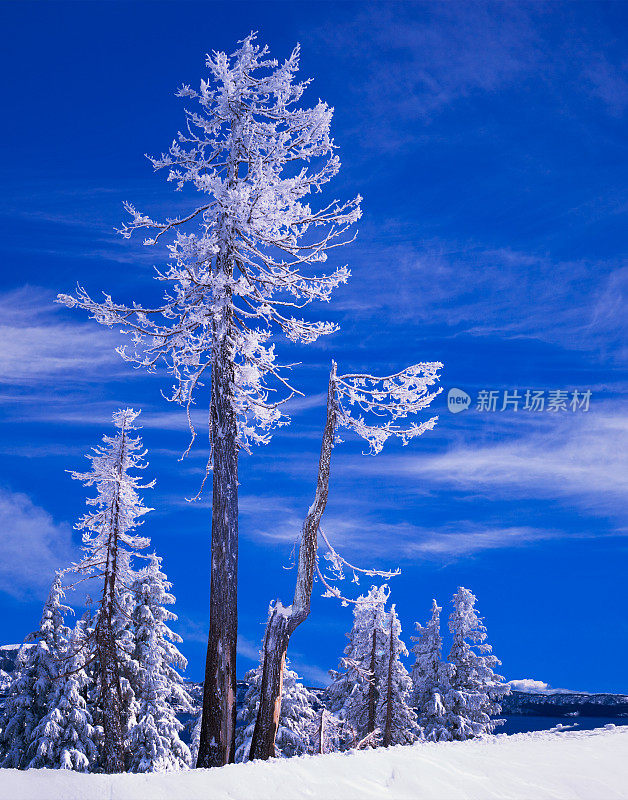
point(354, 693)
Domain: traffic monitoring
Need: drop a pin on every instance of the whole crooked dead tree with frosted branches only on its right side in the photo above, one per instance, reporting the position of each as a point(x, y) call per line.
point(386, 400)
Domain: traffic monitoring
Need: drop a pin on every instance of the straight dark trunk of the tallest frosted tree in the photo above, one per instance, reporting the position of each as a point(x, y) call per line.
point(217, 738)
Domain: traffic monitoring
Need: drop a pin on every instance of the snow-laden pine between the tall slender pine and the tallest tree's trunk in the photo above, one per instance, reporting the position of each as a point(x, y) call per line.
point(154, 741)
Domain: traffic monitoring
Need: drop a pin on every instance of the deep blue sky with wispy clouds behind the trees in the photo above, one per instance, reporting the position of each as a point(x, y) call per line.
point(489, 142)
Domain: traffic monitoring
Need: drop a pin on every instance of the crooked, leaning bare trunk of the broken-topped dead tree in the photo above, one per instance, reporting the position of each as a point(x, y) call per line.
point(282, 622)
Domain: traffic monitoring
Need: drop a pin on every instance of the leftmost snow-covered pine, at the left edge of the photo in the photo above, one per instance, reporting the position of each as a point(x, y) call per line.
point(33, 684)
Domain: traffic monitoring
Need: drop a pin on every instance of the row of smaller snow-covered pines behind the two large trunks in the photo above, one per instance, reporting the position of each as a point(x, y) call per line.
point(116, 675)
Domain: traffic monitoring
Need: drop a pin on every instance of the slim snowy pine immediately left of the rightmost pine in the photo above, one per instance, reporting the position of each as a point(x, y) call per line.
point(430, 678)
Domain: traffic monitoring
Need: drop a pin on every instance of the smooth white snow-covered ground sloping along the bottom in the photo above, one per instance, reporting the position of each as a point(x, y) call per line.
point(556, 765)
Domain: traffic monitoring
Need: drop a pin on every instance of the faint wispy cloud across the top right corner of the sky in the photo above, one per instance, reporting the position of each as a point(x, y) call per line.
point(426, 59)
